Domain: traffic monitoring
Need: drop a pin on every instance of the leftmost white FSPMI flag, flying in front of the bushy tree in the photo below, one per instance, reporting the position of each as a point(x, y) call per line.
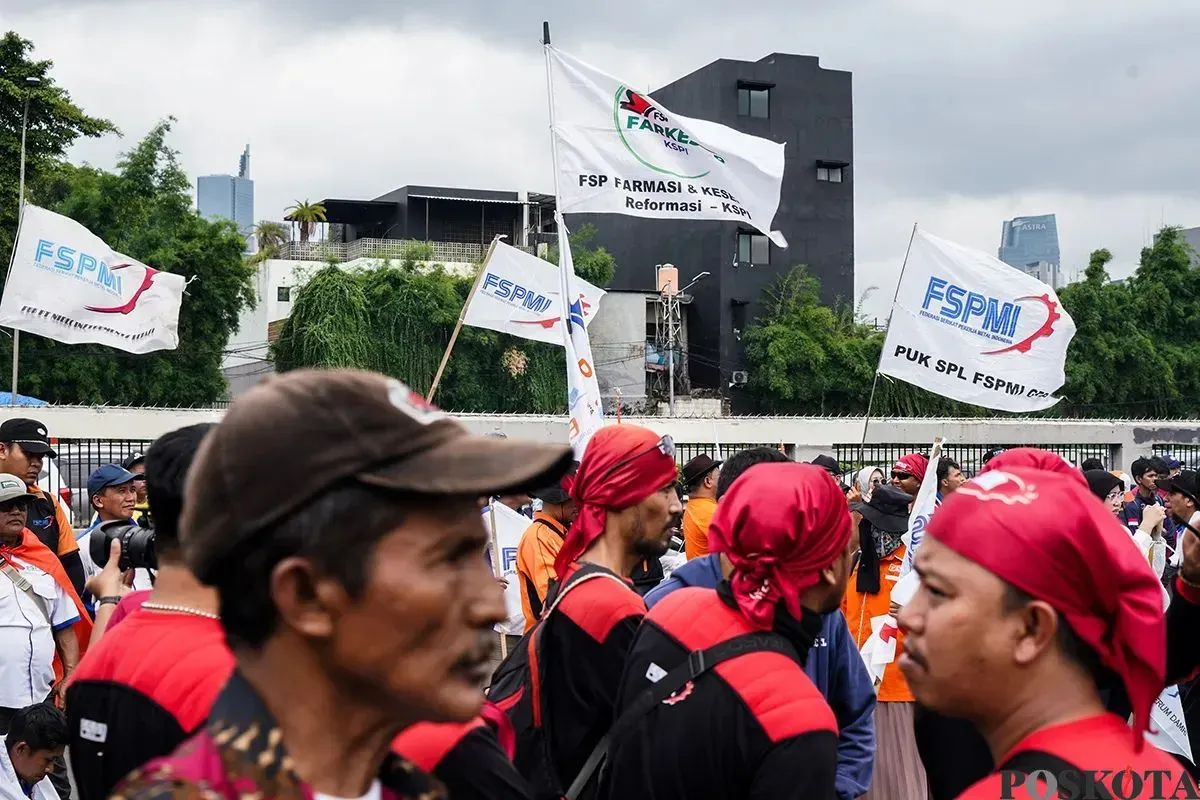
point(69, 286)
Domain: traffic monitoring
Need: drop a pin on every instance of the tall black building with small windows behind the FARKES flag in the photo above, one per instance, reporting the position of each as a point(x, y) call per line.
point(785, 99)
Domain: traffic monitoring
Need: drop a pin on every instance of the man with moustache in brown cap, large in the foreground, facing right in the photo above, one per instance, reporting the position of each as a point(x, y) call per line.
point(337, 515)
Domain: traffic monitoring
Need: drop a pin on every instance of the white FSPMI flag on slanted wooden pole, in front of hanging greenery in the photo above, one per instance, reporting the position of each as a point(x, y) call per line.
point(521, 294)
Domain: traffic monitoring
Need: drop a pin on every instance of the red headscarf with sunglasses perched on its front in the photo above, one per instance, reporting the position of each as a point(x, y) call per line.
point(622, 467)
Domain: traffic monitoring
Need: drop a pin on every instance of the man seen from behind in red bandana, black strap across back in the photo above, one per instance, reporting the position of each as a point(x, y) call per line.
point(758, 727)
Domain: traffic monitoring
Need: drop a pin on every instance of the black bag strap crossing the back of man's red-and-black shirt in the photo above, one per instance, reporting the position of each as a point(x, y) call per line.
point(693, 667)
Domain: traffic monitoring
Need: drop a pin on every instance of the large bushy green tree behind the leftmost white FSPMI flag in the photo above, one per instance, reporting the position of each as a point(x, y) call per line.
point(145, 209)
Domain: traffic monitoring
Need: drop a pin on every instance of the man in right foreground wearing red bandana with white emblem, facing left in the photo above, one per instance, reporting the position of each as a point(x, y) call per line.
point(997, 635)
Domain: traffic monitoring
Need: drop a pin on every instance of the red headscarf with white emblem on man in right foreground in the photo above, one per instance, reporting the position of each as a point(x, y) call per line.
point(1051, 538)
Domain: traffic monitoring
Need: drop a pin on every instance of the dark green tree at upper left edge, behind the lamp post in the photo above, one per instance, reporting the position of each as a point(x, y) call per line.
point(55, 125)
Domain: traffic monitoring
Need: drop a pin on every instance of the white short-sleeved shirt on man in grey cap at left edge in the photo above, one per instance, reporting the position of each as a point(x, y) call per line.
point(27, 641)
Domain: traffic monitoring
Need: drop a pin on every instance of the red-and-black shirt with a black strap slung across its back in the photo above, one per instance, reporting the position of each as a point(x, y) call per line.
point(753, 727)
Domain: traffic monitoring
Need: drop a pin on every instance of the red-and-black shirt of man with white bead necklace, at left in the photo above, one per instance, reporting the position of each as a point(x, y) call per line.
point(142, 691)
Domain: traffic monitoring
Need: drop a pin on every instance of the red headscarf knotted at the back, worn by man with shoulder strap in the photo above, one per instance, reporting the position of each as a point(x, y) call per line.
point(781, 525)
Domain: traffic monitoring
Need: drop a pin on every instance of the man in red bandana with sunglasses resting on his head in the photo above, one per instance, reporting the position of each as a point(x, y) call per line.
point(628, 509)
